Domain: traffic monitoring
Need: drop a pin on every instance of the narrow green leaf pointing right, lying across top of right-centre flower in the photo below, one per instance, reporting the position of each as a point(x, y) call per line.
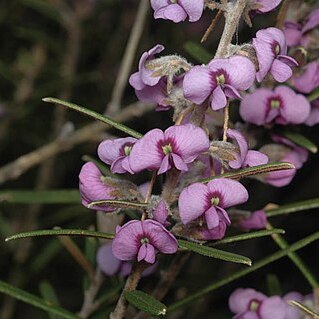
point(255, 170)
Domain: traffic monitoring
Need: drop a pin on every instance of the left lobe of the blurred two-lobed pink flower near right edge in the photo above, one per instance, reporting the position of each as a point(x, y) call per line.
point(254, 107)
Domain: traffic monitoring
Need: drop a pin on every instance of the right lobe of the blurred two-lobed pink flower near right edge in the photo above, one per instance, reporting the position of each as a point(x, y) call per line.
point(295, 108)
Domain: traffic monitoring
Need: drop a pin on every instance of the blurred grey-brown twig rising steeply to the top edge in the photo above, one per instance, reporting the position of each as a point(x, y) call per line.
point(127, 61)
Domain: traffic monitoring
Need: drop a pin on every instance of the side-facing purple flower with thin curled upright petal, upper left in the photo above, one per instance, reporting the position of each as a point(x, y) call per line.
point(144, 77)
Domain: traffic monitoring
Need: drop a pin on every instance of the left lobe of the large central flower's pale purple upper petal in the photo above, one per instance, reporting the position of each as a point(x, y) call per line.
point(146, 153)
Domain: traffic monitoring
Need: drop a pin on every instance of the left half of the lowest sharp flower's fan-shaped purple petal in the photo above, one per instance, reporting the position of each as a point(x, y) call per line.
point(125, 245)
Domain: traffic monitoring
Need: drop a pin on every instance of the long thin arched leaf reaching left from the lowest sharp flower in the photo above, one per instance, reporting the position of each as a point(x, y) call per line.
point(61, 232)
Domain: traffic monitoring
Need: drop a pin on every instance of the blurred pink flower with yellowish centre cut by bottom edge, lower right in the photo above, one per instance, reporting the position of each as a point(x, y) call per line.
point(251, 304)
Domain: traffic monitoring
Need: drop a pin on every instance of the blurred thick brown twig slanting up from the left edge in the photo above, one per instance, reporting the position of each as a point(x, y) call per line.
point(22, 164)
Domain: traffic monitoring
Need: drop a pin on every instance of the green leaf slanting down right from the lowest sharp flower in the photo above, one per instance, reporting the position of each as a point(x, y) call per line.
point(214, 253)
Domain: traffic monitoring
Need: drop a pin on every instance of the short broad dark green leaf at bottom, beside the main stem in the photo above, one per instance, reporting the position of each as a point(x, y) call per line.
point(145, 302)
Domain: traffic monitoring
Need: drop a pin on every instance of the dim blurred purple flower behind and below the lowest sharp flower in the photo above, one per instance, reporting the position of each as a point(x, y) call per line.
point(111, 266)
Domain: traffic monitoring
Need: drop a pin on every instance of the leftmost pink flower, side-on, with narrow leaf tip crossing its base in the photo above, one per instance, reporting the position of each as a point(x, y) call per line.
point(93, 187)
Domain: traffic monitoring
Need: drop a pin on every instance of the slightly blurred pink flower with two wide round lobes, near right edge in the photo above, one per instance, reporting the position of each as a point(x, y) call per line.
point(281, 105)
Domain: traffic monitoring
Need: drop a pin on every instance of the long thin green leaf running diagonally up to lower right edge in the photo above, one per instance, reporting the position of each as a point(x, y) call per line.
point(243, 272)
